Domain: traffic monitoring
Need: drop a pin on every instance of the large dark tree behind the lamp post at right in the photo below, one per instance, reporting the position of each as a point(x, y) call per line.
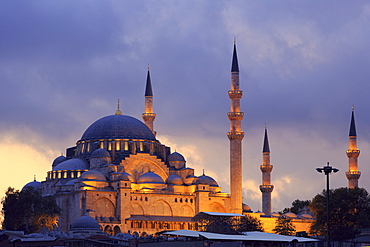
point(349, 212)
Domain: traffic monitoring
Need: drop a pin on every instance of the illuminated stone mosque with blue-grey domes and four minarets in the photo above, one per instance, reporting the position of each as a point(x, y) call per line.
point(126, 179)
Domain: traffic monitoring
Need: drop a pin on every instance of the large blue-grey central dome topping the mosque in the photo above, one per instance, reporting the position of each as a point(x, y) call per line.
point(118, 127)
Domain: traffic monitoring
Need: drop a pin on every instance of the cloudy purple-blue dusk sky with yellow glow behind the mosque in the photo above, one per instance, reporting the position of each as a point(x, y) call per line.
point(303, 64)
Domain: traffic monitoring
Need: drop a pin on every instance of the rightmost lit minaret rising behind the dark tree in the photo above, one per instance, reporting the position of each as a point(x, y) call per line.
point(353, 174)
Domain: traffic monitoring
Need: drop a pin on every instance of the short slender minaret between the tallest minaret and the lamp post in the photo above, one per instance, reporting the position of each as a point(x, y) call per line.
point(266, 187)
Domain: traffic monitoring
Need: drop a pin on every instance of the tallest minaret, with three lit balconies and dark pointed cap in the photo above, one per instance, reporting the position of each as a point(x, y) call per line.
point(235, 136)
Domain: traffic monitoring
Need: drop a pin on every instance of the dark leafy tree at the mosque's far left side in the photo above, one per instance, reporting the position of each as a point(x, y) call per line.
point(28, 211)
